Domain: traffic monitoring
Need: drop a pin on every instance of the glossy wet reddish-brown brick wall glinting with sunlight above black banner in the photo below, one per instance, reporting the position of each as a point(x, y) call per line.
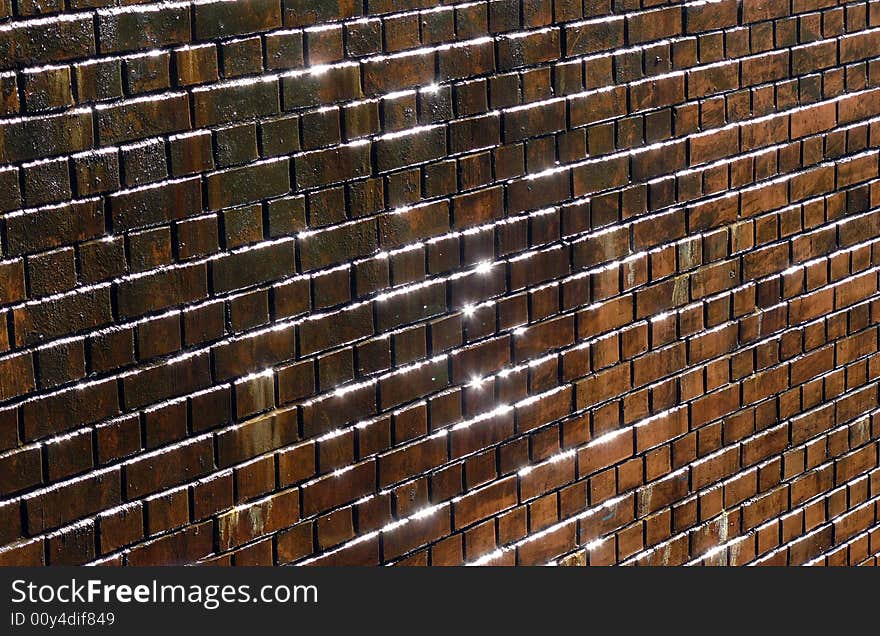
point(361, 282)
